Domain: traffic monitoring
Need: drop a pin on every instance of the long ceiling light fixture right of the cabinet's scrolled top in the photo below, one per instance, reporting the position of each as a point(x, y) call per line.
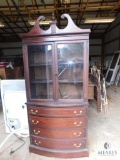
point(99, 20)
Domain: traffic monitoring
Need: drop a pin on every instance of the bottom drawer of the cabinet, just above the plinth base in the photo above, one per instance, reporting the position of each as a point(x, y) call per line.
point(58, 143)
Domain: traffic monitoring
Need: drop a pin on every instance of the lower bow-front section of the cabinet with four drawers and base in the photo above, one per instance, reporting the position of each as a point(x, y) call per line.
point(61, 135)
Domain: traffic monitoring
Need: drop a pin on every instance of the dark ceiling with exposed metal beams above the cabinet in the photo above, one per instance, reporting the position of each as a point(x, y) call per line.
point(16, 13)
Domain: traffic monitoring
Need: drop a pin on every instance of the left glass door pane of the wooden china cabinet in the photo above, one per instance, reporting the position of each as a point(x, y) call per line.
point(40, 71)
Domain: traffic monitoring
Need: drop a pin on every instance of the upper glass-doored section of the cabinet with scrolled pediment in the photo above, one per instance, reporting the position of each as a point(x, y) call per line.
point(56, 62)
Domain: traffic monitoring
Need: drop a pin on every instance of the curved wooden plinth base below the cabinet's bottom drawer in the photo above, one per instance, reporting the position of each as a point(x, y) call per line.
point(59, 153)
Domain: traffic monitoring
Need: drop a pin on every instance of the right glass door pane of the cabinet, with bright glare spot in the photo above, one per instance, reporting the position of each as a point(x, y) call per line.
point(70, 70)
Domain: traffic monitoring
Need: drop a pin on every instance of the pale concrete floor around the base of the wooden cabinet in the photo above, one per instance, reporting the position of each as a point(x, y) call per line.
point(102, 128)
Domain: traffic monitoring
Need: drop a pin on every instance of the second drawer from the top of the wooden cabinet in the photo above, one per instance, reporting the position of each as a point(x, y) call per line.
point(44, 122)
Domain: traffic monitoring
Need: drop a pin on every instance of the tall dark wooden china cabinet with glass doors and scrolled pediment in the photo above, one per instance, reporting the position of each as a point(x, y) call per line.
point(56, 73)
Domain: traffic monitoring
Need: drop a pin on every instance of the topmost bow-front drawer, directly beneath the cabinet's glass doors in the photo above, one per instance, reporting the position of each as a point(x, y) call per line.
point(57, 112)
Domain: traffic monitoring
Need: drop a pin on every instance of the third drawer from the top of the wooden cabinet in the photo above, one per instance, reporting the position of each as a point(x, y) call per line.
point(58, 133)
